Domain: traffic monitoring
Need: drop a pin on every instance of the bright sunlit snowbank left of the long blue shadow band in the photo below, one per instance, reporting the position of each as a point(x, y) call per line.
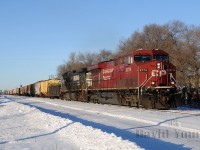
point(25, 127)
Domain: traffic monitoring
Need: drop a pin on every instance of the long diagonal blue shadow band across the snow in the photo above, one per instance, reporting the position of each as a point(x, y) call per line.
point(149, 143)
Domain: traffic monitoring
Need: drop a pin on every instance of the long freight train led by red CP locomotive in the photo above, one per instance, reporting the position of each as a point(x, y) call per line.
point(144, 78)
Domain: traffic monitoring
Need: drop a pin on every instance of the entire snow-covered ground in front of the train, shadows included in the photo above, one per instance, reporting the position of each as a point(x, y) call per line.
point(38, 123)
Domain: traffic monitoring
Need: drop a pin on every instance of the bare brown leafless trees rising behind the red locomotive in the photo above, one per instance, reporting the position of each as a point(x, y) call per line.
point(180, 40)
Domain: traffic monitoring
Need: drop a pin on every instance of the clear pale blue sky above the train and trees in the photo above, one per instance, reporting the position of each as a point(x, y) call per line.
point(38, 35)
